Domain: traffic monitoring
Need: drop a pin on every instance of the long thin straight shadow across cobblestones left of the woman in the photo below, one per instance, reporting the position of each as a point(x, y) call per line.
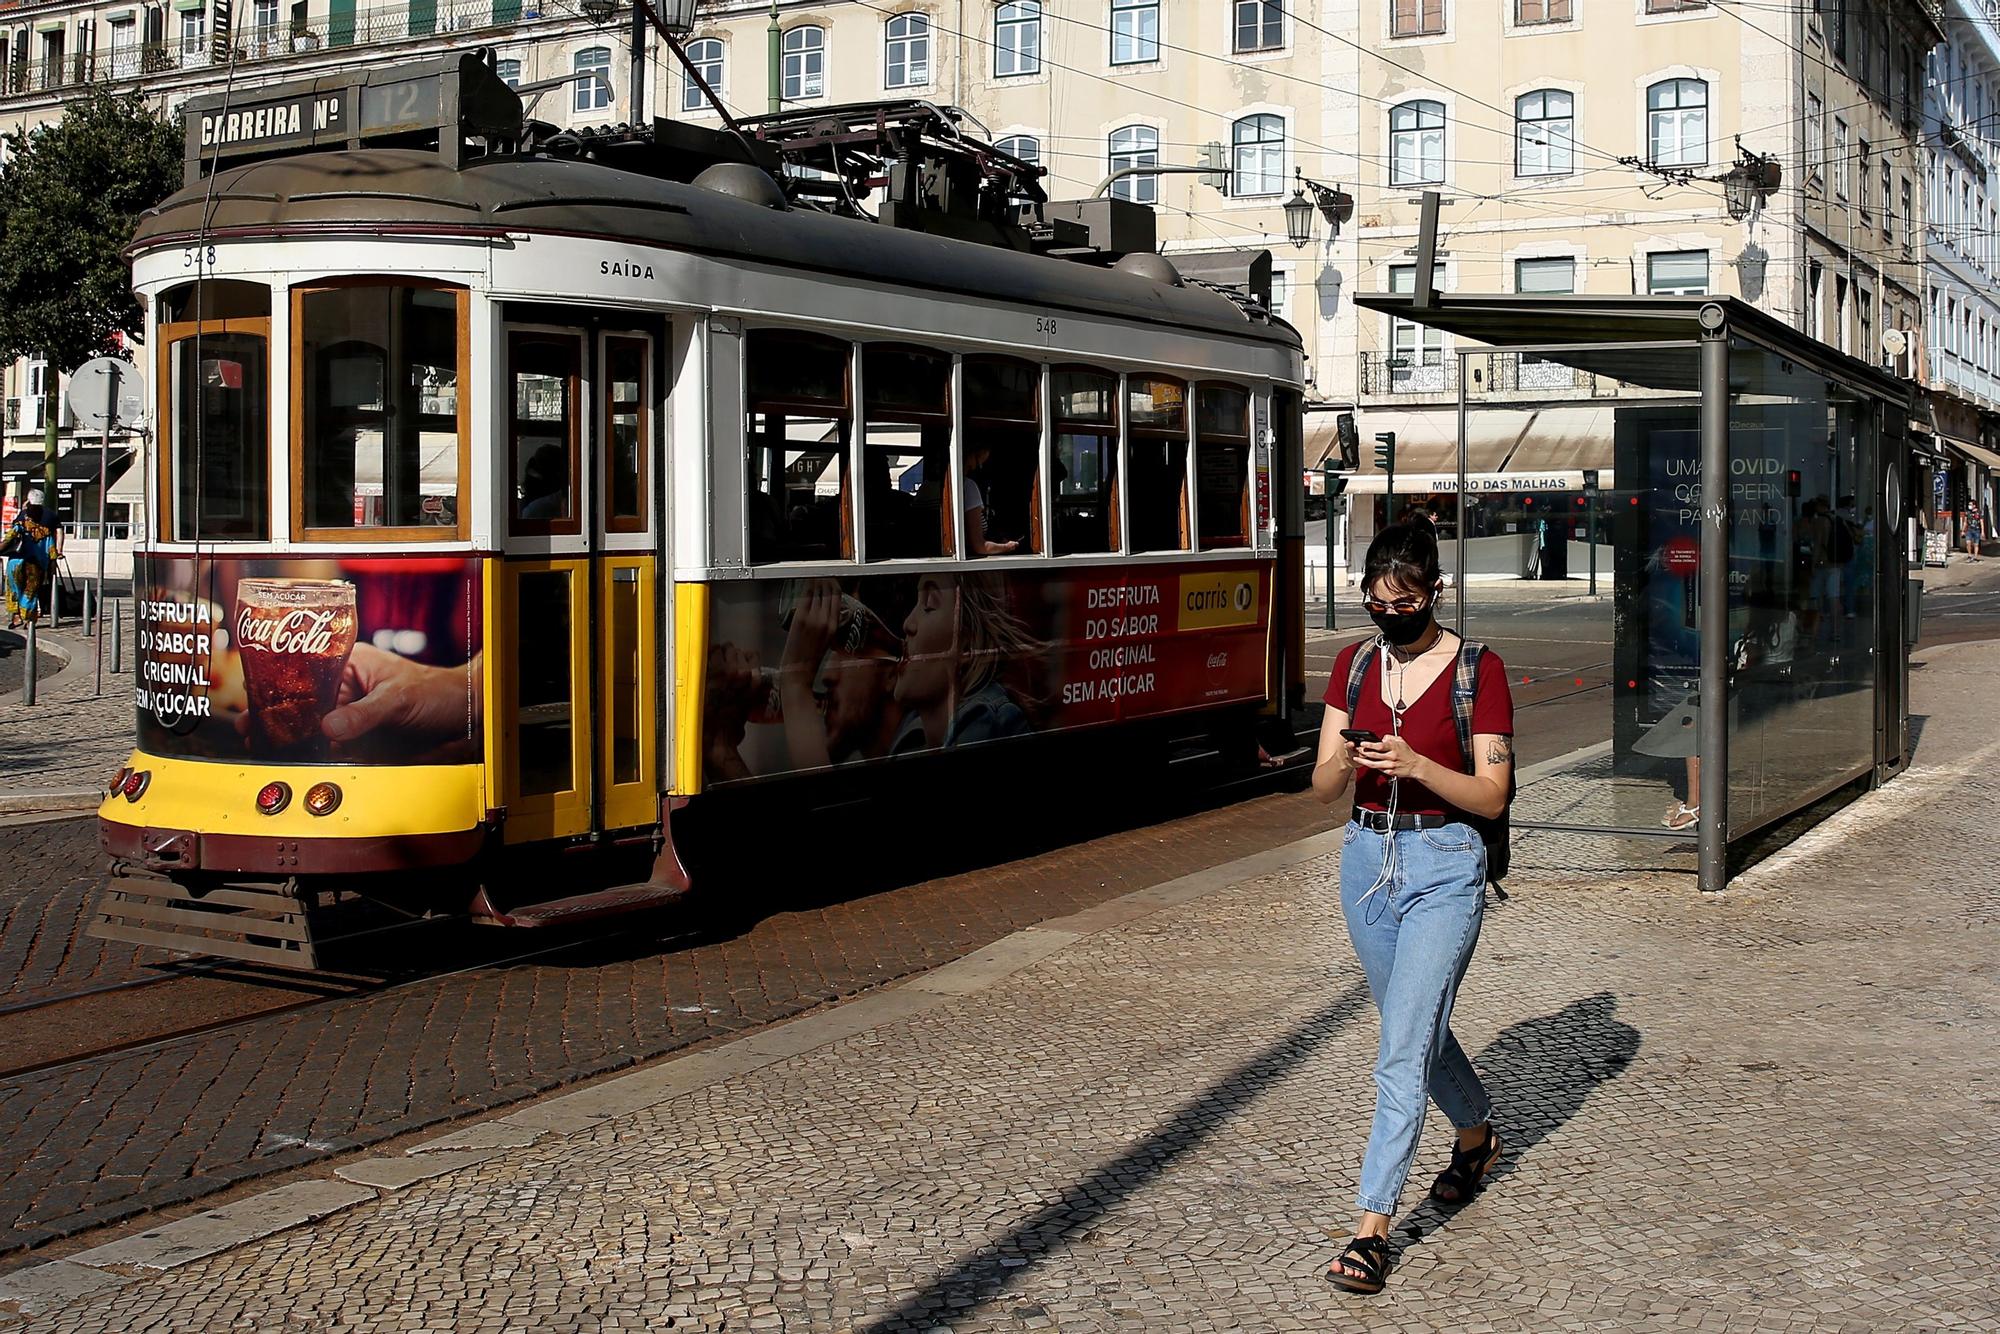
point(979, 1275)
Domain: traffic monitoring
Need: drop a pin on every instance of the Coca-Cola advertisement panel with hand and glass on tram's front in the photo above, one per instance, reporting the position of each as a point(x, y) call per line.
point(369, 661)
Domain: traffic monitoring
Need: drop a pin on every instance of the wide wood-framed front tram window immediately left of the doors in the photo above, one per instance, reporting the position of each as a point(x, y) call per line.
point(381, 427)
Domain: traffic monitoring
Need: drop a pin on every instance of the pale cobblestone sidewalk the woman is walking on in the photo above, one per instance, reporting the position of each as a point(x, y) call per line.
point(1761, 1113)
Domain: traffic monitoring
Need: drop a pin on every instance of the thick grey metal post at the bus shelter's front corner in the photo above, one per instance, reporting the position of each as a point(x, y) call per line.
point(1713, 617)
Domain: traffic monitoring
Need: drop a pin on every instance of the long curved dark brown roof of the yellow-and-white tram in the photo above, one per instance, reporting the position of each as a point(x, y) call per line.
point(417, 193)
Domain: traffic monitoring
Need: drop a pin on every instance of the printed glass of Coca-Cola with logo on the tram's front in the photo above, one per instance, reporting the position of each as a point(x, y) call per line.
point(293, 639)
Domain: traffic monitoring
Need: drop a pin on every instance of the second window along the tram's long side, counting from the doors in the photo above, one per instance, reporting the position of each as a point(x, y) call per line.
point(907, 453)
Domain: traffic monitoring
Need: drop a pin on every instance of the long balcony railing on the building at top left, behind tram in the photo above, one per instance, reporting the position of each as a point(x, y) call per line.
point(255, 43)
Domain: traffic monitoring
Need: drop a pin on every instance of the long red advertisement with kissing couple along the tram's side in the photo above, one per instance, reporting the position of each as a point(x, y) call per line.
point(817, 673)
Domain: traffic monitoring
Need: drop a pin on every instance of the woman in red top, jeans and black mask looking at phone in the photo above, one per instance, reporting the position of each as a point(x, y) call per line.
point(1423, 727)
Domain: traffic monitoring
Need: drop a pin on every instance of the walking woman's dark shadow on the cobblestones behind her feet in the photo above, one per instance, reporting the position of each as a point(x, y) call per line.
point(1539, 1075)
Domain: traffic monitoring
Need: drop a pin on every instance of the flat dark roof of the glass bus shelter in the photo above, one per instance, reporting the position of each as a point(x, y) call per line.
point(1593, 329)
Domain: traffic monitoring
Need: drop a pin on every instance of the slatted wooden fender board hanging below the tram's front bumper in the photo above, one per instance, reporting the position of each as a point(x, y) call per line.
point(253, 923)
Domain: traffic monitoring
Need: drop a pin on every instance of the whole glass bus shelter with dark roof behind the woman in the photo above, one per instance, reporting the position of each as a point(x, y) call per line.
point(1739, 653)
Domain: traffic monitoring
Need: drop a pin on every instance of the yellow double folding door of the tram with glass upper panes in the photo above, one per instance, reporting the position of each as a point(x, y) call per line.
point(579, 583)
